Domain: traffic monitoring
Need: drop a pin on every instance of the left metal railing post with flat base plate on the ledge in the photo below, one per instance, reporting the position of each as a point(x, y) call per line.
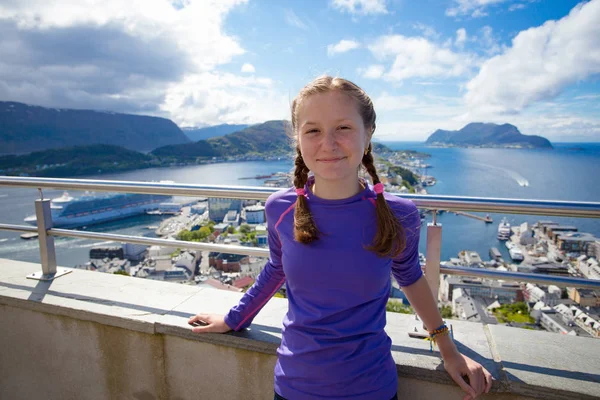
point(47, 250)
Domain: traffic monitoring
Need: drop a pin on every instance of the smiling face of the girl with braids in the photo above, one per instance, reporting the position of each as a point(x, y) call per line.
point(331, 135)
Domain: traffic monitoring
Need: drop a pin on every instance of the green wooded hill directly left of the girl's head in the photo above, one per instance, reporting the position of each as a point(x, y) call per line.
point(269, 138)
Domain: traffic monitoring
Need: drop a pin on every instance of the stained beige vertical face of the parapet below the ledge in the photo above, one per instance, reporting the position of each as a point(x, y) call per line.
point(57, 357)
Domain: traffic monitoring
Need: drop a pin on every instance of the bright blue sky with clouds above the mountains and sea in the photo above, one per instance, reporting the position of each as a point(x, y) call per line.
point(427, 65)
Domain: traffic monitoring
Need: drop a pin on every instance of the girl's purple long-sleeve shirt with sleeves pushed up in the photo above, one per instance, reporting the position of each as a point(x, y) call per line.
point(333, 342)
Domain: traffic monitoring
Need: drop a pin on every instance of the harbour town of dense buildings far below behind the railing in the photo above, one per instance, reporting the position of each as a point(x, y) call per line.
point(545, 248)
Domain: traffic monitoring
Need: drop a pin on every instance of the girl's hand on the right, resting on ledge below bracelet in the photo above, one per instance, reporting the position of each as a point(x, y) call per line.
point(480, 380)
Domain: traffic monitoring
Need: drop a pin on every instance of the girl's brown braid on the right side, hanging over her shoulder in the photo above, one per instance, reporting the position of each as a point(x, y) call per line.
point(390, 239)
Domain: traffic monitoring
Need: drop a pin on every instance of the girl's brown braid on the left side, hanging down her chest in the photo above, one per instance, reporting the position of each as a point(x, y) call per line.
point(305, 230)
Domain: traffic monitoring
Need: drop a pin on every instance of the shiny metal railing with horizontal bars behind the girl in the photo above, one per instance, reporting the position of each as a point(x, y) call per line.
point(46, 231)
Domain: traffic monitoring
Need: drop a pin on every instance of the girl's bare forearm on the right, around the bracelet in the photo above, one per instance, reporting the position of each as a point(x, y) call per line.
point(421, 299)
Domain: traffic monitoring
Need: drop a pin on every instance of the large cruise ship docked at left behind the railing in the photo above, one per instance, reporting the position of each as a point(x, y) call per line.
point(91, 208)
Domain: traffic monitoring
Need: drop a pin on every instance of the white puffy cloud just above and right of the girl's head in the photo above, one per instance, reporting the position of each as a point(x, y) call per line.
point(419, 57)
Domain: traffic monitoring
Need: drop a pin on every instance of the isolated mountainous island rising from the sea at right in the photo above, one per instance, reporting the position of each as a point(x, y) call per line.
point(487, 135)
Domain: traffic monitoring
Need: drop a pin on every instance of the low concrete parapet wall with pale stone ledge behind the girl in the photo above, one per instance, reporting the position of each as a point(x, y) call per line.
point(89, 335)
